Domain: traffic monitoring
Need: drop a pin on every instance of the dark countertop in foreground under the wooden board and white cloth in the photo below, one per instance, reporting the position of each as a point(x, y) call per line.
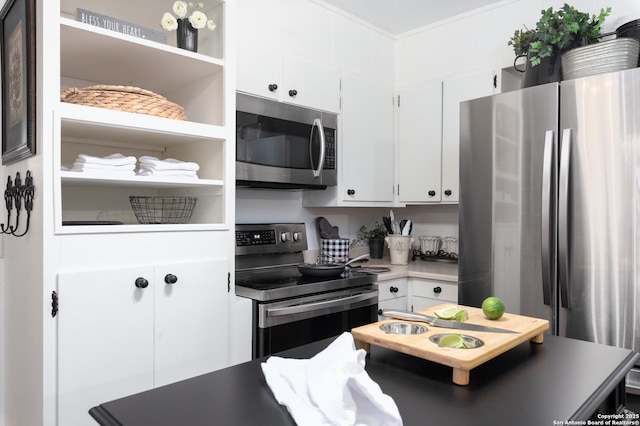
point(561, 379)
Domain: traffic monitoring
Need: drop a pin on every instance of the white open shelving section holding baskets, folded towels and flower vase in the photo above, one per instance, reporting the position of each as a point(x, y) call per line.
point(92, 55)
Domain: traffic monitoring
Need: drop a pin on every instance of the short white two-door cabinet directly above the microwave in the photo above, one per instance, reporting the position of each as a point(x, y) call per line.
point(284, 78)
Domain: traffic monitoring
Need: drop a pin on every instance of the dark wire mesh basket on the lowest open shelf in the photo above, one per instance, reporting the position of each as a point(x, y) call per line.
point(162, 209)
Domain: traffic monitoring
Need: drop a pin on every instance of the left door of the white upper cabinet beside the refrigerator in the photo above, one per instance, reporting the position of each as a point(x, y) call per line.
point(420, 143)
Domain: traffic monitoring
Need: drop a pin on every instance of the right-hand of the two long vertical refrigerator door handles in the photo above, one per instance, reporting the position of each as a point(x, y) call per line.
point(563, 219)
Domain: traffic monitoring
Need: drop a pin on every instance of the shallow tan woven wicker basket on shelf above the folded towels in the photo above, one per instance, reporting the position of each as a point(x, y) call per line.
point(124, 98)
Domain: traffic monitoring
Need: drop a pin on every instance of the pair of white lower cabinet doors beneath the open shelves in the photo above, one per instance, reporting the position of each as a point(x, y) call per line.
point(126, 330)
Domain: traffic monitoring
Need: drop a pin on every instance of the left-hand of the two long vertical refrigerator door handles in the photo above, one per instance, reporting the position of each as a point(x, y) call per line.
point(548, 193)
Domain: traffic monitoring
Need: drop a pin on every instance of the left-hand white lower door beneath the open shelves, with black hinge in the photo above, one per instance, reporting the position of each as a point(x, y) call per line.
point(105, 339)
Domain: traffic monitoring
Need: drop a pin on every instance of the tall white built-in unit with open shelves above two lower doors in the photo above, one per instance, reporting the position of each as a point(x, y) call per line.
point(105, 327)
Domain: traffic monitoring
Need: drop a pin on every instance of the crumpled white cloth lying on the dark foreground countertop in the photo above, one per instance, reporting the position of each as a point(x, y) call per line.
point(332, 388)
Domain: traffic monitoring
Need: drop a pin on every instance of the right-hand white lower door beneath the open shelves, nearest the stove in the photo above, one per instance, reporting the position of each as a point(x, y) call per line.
point(192, 319)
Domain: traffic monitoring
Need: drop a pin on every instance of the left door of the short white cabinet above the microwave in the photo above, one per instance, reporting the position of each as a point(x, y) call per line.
point(259, 72)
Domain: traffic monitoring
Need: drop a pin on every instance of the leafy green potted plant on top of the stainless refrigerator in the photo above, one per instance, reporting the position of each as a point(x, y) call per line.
point(556, 32)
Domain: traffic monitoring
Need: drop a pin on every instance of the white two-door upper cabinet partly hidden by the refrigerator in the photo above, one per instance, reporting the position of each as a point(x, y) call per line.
point(428, 143)
